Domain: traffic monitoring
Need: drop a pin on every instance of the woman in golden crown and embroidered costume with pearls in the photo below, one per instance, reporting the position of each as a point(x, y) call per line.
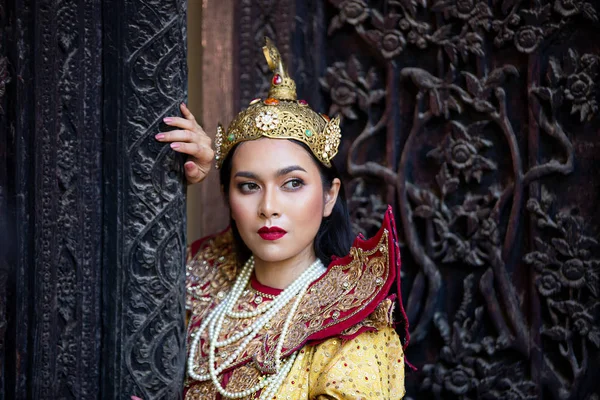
point(283, 304)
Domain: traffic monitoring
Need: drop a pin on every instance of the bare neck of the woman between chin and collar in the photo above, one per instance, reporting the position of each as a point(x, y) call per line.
point(281, 274)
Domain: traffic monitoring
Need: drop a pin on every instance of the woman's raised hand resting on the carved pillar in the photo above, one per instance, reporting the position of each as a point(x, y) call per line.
point(190, 139)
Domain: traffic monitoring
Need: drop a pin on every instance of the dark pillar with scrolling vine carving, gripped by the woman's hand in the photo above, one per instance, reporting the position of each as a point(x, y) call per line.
point(144, 243)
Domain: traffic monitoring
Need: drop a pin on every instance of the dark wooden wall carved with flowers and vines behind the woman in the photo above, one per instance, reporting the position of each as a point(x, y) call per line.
point(479, 122)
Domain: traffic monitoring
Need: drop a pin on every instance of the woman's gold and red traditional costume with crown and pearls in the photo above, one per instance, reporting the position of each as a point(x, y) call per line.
point(330, 334)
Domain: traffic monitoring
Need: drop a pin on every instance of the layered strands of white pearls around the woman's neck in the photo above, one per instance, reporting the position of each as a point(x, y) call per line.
point(213, 322)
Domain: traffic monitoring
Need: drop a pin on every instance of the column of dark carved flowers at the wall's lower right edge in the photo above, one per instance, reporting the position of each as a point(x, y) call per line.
point(567, 278)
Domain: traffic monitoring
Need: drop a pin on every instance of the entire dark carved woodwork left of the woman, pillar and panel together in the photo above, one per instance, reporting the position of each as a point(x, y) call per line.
point(92, 209)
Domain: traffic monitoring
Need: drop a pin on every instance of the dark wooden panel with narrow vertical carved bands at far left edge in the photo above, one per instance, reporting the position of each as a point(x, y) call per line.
point(52, 179)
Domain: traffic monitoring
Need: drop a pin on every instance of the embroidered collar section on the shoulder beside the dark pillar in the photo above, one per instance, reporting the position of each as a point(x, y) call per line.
point(211, 267)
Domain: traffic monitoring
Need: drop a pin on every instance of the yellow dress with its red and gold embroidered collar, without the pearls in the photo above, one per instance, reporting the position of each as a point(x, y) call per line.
point(342, 330)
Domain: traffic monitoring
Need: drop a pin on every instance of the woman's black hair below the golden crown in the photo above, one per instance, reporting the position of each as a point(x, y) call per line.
point(334, 237)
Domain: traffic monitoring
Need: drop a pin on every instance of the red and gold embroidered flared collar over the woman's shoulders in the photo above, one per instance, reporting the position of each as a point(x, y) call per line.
point(349, 298)
